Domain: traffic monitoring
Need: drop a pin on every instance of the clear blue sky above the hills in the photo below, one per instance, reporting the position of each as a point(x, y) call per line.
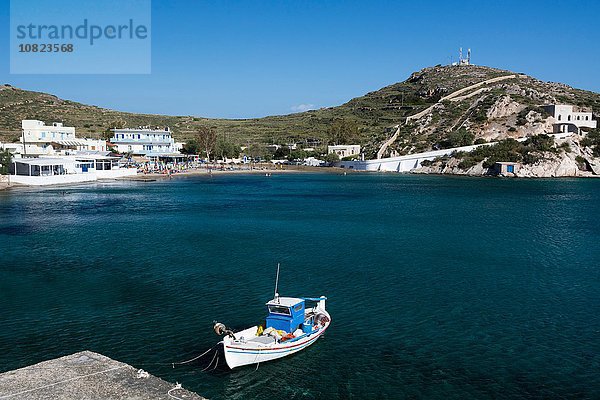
point(244, 59)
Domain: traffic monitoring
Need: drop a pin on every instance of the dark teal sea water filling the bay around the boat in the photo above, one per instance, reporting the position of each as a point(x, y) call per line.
point(438, 287)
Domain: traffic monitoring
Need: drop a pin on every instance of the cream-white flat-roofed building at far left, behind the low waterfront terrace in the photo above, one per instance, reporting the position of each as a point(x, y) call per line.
point(37, 139)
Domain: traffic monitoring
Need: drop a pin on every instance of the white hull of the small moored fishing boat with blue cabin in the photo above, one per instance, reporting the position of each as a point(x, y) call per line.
point(240, 352)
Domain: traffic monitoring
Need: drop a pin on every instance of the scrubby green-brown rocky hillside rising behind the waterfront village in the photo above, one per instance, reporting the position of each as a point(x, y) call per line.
point(506, 108)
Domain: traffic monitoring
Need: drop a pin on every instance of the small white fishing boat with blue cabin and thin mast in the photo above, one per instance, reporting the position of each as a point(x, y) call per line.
point(292, 324)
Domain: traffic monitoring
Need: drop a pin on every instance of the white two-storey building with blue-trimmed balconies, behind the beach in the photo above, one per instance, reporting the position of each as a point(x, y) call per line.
point(144, 141)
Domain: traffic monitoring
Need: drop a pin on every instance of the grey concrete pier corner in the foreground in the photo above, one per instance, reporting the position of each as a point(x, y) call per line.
point(86, 375)
